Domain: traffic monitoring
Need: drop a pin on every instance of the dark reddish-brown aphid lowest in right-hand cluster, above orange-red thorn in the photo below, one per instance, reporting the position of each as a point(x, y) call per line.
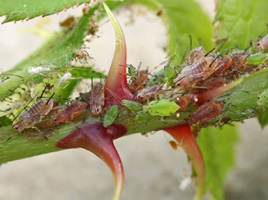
point(206, 111)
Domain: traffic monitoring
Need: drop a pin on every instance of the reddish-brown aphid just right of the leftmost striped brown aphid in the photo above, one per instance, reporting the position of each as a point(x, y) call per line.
point(68, 112)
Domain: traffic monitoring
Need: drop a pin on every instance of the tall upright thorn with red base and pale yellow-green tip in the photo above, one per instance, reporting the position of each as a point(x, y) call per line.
point(116, 82)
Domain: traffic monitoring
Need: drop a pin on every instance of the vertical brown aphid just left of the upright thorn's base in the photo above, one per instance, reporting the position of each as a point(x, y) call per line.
point(96, 99)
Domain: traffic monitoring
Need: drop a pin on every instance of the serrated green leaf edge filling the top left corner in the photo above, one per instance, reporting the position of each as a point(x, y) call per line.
point(20, 9)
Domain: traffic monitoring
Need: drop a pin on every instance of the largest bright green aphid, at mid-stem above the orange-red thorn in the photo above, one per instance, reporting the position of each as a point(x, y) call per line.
point(163, 108)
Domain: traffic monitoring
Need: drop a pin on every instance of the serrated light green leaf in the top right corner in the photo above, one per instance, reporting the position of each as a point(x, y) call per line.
point(239, 22)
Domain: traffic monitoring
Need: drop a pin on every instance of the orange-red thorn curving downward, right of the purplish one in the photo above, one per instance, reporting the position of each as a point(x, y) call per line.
point(186, 137)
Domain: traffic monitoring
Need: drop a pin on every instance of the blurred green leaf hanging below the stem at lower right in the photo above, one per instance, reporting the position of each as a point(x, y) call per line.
point(217, 146)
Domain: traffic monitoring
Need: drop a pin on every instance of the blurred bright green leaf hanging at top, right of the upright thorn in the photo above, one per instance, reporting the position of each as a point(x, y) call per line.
point(182, 18)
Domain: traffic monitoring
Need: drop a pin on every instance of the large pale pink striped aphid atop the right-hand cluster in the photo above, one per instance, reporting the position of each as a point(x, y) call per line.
point(195, 72)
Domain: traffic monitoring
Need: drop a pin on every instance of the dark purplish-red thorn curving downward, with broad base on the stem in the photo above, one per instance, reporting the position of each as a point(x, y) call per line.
point(99, 140)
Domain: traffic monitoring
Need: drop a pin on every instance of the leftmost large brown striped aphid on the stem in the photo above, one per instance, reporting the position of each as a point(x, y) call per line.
point(34, 114)
